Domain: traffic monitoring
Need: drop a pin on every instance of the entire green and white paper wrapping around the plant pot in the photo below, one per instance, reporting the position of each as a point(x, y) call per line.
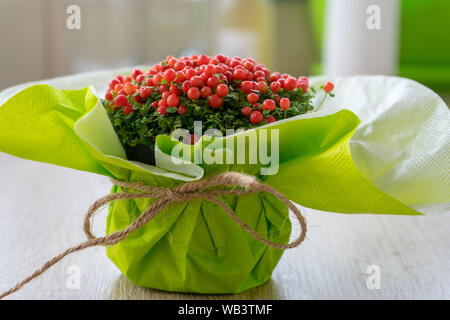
point(381, 146)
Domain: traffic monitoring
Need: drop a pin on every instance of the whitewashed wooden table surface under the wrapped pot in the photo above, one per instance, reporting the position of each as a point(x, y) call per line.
point(41, 212)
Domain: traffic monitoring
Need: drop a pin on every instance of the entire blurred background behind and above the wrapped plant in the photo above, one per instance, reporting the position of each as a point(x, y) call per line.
point(409, 38)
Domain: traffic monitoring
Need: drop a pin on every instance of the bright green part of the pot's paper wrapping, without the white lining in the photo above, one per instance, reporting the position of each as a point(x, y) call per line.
point(194, 246)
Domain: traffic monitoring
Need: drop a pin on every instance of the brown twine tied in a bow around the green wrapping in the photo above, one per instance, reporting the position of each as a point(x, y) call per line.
point(208, 189)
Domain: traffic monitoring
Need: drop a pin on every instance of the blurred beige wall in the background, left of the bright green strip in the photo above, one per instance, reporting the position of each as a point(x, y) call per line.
point(36, 44)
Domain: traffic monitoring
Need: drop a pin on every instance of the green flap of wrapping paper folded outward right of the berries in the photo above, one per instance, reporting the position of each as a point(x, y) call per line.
point(382, 203)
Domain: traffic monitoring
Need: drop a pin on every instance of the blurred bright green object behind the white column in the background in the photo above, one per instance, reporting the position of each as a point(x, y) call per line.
point(424, 51)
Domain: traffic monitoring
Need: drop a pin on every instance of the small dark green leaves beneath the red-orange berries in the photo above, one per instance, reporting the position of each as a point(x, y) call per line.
point(144, 124)
